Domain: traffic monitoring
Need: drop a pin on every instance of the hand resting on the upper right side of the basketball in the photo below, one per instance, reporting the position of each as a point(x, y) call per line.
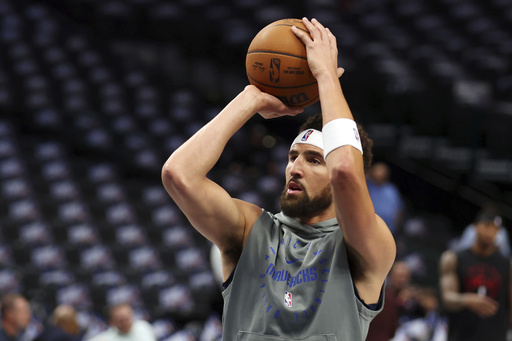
point(321, 48)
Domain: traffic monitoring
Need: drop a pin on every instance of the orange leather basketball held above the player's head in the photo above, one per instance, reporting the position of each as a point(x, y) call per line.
point(277, 64)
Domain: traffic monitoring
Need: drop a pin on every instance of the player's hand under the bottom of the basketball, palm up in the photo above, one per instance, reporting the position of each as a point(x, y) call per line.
point(269, 106)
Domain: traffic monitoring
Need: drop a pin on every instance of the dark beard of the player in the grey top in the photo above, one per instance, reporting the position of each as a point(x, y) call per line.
point(302, 206)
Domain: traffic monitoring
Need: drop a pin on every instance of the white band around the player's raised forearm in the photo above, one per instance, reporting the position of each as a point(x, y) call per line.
point(341, 132)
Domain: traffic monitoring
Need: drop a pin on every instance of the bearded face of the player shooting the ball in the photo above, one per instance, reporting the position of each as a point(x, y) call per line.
point(308, 190)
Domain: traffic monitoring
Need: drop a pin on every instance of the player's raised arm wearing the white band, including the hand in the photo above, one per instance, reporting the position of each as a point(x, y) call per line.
point(371, 246)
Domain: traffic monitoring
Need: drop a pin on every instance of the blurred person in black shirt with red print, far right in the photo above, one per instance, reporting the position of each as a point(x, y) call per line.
point(475, 283)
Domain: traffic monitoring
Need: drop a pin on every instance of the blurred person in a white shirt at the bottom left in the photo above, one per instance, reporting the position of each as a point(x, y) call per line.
point(124, 326)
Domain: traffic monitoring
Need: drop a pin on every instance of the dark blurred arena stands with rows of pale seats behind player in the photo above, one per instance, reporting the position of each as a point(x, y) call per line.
point(96, 94)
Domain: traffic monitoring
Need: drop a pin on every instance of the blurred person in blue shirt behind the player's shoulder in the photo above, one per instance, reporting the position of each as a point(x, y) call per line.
point(386, 197)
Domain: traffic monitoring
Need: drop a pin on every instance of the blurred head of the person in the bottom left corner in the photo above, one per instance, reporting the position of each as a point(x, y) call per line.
point(16, 315)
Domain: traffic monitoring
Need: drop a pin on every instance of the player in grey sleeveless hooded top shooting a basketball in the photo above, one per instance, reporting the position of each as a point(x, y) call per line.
point(316, 270)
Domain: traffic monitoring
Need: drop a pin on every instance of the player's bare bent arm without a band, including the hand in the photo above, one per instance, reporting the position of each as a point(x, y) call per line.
point(208, 207)
